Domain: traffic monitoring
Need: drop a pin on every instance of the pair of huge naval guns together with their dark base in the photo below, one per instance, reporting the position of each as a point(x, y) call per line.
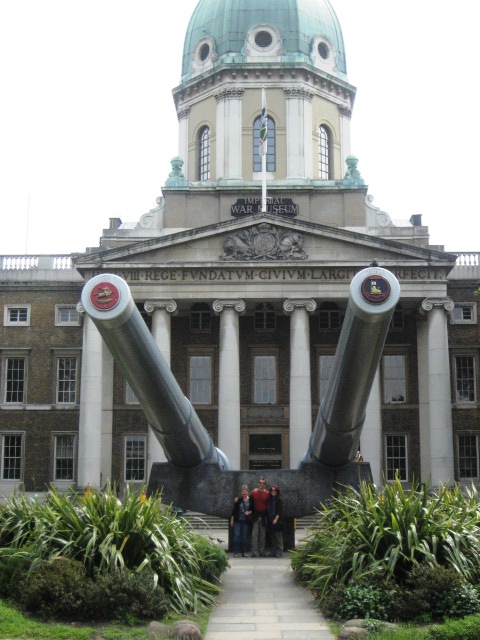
point(197, 475)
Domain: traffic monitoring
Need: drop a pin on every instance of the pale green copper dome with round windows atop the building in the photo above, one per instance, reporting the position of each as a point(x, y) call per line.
point(289, 31)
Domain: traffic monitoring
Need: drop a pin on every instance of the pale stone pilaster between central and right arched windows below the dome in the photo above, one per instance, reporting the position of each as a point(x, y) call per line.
point(299, 132)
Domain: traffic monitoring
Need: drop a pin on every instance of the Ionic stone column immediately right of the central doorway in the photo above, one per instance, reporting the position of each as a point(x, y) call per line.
point(300, 381)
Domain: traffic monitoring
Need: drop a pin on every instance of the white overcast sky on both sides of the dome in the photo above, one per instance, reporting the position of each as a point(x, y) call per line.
point(88, 123)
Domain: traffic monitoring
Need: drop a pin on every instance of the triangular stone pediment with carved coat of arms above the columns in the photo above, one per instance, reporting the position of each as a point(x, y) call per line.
point(262, 238)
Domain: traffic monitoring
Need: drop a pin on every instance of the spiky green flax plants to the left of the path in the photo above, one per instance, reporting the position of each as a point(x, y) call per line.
point(107, 534)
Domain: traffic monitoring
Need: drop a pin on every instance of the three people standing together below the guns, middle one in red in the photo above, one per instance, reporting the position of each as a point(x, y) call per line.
point(259, 511)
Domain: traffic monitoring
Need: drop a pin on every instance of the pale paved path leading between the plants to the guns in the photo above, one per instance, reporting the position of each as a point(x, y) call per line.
point(261, 601)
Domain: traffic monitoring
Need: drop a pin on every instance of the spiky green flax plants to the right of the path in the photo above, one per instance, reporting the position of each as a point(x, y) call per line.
point(386, 532)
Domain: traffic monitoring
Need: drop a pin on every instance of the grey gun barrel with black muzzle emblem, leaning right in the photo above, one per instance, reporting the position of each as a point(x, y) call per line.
point(374, 293)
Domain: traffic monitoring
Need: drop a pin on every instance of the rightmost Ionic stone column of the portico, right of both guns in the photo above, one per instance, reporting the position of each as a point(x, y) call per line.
point(436, 434)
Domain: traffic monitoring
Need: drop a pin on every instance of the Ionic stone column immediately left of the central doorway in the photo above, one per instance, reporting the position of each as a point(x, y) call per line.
point(229, 379)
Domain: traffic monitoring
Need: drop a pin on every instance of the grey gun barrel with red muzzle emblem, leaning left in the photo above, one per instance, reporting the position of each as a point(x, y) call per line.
point(107, 300)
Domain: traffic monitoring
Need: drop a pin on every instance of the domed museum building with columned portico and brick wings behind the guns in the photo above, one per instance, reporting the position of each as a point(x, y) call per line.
point(244, 297)
